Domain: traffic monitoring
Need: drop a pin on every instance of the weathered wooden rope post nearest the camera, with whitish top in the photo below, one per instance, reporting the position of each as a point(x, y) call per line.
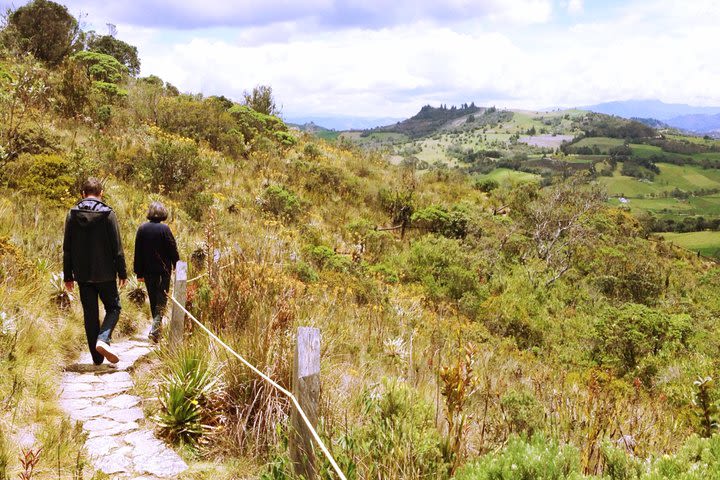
point(306, 388)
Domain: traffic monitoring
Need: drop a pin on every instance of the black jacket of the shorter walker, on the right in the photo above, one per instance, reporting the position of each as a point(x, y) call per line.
point(155, 250)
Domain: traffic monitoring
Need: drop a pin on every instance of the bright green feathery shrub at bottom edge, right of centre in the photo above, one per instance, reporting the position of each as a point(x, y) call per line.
point(538, 458)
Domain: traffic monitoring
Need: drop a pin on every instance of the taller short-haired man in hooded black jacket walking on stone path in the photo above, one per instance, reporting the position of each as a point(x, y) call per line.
point(93, 257)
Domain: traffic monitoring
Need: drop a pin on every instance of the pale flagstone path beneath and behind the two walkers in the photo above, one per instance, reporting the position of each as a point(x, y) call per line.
point(118, 443)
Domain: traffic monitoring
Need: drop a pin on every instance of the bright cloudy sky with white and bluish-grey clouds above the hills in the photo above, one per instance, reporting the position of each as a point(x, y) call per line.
point(382, 58)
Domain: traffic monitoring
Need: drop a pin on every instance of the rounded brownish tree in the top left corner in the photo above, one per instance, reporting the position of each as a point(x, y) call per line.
point(45, 29)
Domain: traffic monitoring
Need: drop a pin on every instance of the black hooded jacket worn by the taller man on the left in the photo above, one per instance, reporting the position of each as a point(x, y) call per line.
point(92, 248)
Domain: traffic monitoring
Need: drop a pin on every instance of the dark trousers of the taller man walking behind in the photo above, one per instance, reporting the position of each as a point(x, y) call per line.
point(108, 293)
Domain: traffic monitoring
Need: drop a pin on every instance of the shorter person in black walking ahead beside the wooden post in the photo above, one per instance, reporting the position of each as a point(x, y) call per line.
point(155, 258)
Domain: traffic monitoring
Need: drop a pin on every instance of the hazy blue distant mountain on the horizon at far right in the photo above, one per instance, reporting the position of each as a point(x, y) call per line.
point(677, 115)
